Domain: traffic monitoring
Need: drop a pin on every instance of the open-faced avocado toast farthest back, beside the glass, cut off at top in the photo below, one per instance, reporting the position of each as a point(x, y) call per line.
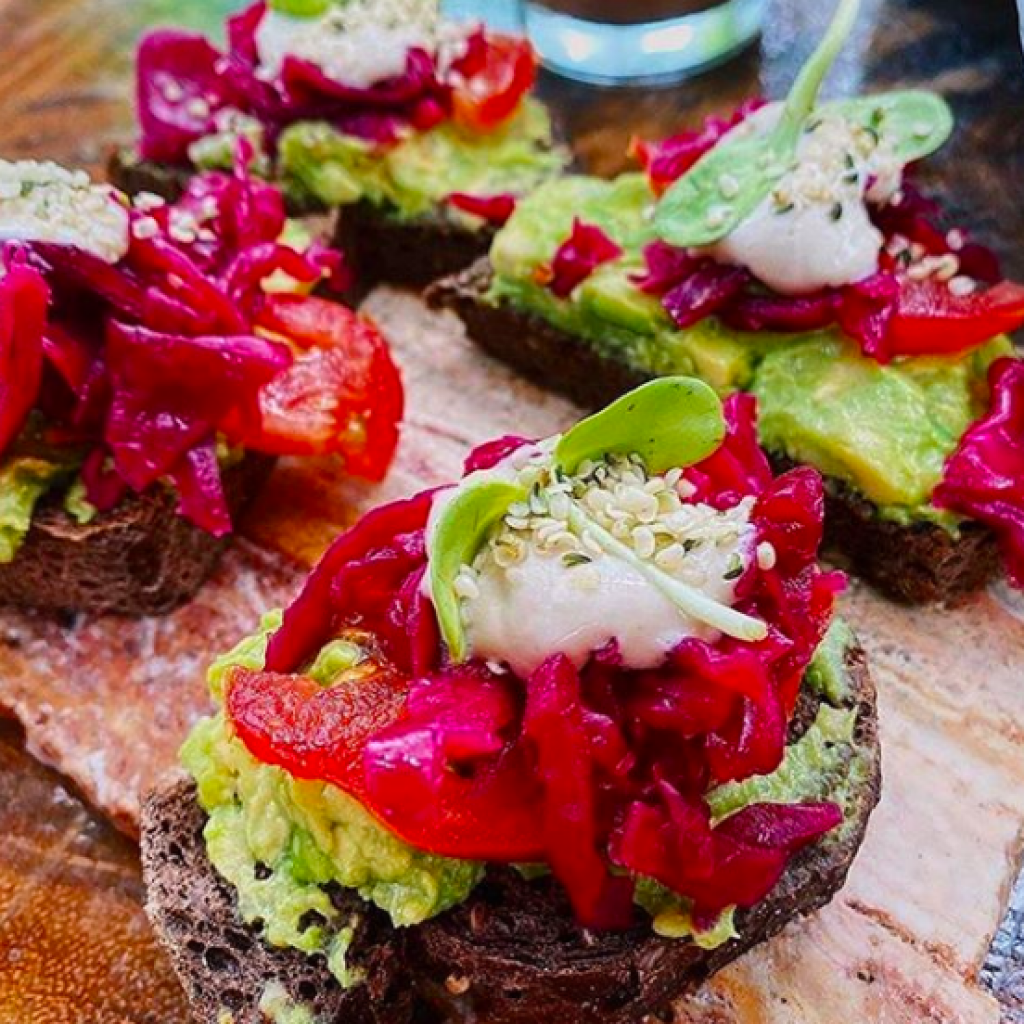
point(421, 130)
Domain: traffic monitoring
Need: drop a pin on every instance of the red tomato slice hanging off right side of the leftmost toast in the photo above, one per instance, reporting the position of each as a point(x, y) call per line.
point(343, 395)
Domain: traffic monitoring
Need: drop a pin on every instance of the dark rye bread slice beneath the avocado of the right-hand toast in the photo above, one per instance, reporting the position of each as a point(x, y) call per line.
point(911, 564)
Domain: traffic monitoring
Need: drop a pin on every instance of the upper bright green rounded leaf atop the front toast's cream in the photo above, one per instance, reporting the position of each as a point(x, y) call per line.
point(670, 422)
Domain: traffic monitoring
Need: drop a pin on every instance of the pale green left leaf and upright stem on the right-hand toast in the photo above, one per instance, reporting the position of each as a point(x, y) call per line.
point(693, 214)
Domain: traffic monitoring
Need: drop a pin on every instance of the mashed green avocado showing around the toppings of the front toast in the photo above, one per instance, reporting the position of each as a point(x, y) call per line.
point(281, 842)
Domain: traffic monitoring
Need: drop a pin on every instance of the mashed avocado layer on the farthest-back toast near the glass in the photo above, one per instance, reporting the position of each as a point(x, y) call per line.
point(317, 164)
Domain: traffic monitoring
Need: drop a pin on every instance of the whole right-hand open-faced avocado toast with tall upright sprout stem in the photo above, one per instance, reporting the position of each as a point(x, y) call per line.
point(787, 252)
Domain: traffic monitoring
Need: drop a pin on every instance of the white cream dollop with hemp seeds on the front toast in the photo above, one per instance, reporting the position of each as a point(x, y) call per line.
point(541, 587)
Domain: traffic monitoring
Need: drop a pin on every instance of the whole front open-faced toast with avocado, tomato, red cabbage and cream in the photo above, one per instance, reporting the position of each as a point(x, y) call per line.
point(556, 743)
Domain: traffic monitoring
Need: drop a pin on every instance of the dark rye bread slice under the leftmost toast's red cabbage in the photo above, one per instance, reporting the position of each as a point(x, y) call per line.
point(142, 559)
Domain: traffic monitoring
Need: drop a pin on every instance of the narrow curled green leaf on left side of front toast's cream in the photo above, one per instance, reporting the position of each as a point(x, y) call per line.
point(460, 534)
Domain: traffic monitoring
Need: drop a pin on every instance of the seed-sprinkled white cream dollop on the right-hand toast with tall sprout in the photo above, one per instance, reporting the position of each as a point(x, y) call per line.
point(815, 232)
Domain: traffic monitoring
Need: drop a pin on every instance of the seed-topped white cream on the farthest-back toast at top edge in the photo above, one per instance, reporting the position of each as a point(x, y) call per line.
point(360, 44)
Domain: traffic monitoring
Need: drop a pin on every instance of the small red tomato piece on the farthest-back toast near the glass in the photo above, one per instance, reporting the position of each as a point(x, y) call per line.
point(495, 80)
